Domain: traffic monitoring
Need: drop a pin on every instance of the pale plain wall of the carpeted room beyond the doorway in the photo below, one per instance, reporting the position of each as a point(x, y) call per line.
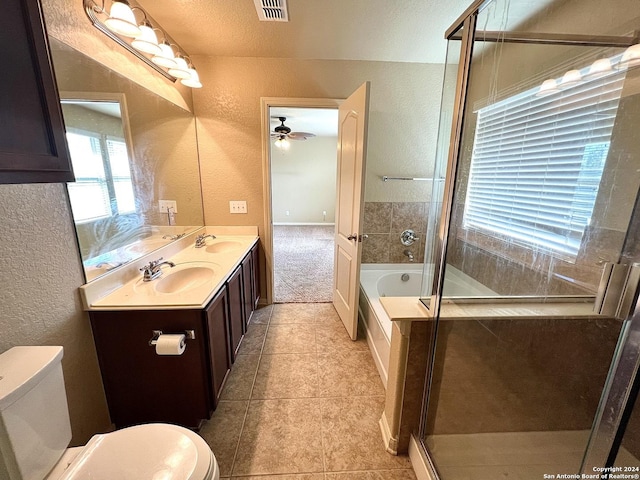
point(304, 181)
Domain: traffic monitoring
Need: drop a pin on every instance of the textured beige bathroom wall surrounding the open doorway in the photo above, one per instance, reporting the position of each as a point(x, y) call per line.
point(405, 101)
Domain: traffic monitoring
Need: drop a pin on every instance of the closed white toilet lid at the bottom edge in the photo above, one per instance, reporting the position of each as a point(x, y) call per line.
point(154, 451)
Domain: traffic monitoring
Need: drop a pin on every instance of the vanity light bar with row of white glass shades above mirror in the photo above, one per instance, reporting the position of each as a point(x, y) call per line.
point(119, 23)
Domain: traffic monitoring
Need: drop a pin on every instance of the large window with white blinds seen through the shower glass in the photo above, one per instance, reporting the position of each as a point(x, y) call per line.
point(537, 163)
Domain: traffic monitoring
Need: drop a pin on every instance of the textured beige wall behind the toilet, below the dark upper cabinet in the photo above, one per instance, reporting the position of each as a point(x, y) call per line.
point(40, 276)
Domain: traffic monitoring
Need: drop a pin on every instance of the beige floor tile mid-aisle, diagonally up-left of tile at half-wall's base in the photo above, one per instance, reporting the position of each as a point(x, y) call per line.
point(290, 375)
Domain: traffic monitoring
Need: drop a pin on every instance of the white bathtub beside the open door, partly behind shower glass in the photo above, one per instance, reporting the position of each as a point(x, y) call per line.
point(400, 280)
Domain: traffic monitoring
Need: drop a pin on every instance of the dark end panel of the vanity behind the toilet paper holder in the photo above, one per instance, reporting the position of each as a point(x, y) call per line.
point(142, 386)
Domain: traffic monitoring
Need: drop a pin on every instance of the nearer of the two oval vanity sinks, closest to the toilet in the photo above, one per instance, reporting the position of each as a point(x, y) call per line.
point(181, 278)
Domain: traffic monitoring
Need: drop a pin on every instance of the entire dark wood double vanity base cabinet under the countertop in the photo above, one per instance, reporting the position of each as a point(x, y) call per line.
point(143, 387)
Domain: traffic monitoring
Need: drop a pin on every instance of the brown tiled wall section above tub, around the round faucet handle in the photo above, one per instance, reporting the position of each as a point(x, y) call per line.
point(384, 222)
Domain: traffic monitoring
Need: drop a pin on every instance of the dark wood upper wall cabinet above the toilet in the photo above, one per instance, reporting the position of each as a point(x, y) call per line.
point(32, 139)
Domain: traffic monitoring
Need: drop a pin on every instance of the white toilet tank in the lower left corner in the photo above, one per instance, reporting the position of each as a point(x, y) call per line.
point(34, 417)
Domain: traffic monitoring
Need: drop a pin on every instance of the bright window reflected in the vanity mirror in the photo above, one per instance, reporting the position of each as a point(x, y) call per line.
point(103, 185)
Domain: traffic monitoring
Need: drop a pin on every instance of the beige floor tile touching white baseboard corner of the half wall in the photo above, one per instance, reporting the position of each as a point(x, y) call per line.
point(351, 436)
